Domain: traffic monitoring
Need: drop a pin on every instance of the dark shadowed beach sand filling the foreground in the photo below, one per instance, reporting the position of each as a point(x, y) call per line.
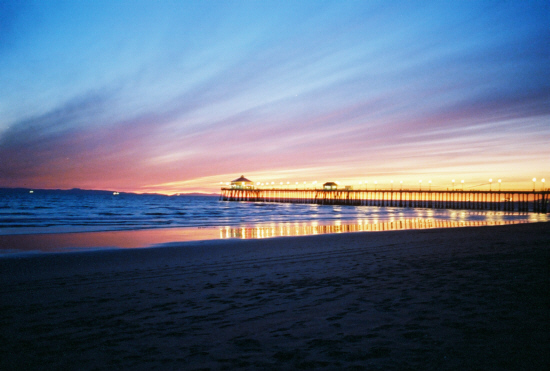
point(456, 299)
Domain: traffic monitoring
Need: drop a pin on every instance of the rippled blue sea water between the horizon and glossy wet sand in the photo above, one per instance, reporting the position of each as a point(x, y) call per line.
point(152, 211)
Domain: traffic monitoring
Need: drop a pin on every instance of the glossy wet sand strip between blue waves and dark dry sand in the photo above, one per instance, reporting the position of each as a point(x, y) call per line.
point(16, 245)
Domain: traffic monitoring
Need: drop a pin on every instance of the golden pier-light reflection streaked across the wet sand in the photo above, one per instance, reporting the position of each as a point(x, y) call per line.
point(305, 229)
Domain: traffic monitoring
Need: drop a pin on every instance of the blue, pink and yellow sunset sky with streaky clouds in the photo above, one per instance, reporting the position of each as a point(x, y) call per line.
point(177, 96)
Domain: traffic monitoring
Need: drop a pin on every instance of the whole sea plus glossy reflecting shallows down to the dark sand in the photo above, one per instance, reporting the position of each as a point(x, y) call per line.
point(186, 218)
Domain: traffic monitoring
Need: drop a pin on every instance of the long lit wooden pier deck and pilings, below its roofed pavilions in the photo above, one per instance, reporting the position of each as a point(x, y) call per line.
point(521, 201)
